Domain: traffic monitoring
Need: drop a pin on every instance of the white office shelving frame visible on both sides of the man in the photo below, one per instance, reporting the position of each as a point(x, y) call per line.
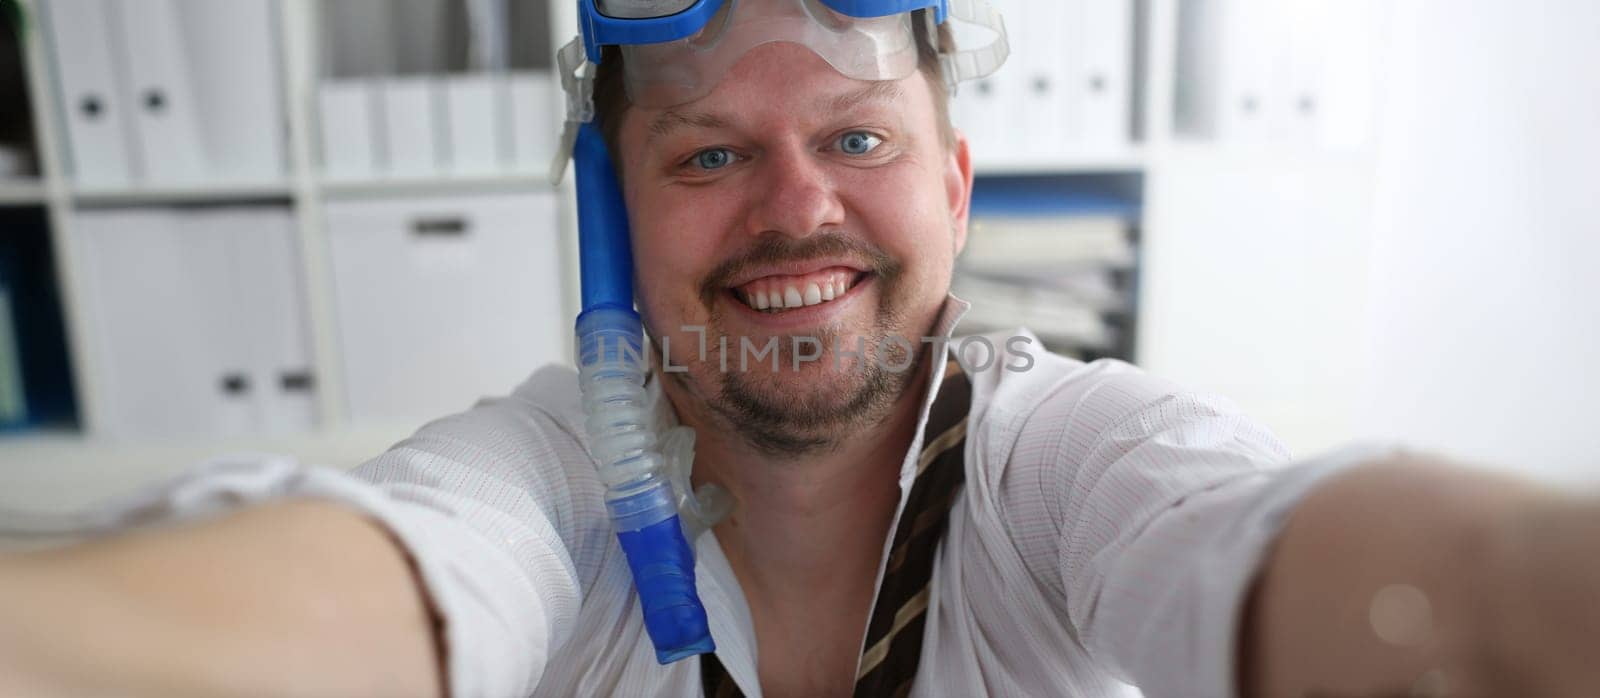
point(305, 191)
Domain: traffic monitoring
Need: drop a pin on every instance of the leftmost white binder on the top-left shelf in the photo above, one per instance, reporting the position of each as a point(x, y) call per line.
point(92, 100)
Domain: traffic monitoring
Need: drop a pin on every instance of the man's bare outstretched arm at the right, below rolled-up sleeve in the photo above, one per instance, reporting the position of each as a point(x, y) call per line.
point(1414, 579)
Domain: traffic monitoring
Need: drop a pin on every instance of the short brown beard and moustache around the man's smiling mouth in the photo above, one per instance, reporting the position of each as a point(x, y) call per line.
point(807, 407)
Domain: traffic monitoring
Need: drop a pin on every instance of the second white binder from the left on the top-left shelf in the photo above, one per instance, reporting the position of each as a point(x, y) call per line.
point(159, 92)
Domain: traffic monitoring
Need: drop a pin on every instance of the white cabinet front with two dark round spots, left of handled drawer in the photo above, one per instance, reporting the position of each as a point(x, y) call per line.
point(198, 318)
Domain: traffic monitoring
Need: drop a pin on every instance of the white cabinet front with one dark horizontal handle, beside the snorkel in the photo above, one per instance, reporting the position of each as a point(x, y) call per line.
point(442, 302)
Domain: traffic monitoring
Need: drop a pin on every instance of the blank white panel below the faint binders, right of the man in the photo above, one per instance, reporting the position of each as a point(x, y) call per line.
point(1255, 281)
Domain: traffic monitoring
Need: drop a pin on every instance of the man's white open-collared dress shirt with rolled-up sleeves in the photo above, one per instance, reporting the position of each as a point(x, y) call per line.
point(1108, 532)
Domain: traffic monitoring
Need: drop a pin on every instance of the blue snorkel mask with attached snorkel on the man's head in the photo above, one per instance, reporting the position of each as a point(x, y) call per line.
point(676, 52)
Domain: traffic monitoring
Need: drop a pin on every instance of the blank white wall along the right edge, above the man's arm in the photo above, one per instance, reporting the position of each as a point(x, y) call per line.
point(1486, 302)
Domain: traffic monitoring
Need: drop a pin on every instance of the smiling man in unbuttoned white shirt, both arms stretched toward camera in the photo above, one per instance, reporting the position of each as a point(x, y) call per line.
point(1098, 524)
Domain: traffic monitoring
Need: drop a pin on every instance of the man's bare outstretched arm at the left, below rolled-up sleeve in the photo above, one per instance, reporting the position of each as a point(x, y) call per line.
point(292, 598)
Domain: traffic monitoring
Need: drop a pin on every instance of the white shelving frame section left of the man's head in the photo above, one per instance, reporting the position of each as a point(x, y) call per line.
point(303, 190)
